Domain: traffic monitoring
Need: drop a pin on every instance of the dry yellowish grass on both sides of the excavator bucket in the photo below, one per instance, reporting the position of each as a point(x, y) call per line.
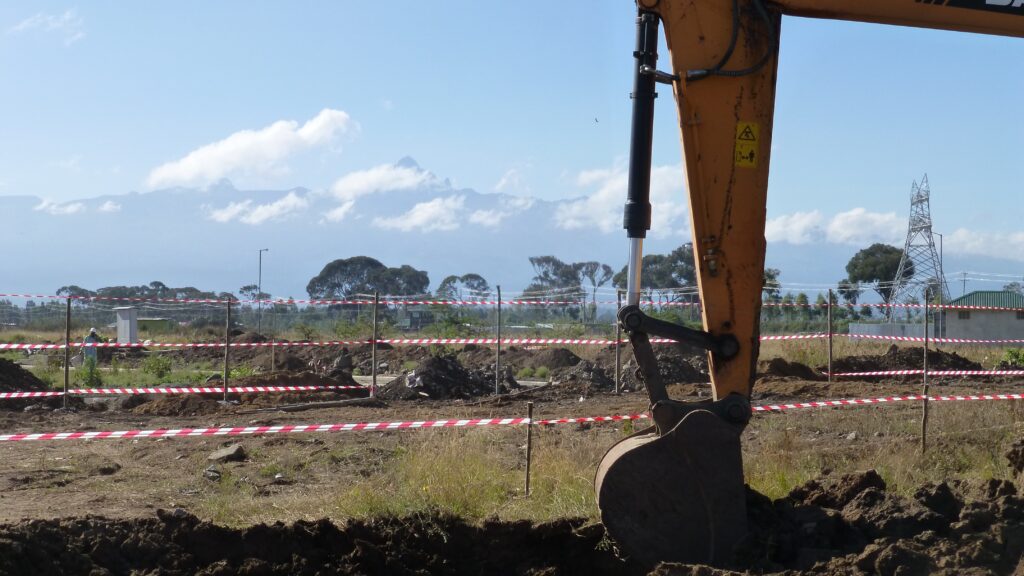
point(480, 474)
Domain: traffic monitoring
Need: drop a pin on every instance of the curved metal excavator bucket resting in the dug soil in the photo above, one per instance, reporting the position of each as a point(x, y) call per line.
point(677, 497)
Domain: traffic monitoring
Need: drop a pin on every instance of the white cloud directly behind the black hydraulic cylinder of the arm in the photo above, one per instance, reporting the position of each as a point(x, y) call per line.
point(604, 209)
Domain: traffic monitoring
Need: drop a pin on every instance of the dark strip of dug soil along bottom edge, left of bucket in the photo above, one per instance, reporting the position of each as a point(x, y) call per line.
point(180, 544)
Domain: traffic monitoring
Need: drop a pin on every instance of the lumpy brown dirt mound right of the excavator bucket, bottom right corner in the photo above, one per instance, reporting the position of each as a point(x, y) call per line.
point(851, 525)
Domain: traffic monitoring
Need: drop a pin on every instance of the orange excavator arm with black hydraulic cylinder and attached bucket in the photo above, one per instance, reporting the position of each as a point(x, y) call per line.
point(675, 492)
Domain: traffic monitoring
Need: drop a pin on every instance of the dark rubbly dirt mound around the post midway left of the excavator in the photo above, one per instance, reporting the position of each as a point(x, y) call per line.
point(444, 378)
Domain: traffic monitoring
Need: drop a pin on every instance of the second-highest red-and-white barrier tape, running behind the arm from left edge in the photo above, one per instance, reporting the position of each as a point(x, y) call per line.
point(395, 342)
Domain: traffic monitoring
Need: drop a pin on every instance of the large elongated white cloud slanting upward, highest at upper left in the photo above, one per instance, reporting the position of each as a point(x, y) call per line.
point(262, 152)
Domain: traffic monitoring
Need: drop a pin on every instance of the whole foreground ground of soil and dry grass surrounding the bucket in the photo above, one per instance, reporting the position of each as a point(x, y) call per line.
point(832, 490)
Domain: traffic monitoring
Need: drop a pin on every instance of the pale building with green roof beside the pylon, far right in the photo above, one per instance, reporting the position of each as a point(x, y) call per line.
point(987, 315)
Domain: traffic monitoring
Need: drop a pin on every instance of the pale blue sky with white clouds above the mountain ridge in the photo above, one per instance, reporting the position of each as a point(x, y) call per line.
point(528, 98)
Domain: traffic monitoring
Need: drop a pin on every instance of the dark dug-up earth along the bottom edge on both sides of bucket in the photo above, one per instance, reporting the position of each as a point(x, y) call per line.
point(848, 525)
